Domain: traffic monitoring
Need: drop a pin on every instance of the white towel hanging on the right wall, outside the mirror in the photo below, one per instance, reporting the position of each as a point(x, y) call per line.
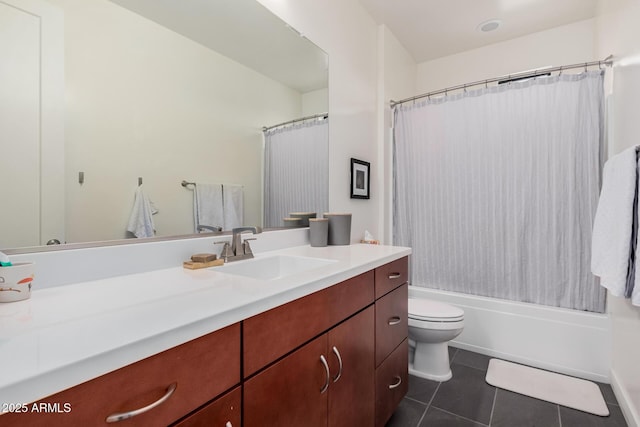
point(612, 228)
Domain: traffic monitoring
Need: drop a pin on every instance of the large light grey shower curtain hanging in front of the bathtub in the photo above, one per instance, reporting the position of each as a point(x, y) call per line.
point(496, 190)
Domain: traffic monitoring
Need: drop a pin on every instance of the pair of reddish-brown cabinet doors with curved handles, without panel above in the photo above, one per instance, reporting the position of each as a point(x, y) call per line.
point(327, 382)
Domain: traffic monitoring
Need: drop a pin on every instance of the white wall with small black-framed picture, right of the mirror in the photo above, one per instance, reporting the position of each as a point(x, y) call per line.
point(344, 30)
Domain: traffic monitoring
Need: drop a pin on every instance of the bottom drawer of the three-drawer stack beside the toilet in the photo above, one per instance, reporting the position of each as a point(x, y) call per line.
point(392, 383)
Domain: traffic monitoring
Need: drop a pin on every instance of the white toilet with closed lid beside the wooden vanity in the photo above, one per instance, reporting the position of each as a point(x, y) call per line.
point(432, 324)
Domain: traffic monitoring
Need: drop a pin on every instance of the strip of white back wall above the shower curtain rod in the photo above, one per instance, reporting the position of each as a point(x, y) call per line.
point(568, 44)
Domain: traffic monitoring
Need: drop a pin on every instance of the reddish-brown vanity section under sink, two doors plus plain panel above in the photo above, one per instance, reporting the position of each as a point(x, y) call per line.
point(307, 387)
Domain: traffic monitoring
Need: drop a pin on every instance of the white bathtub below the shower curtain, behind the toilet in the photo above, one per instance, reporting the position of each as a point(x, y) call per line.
point(571, 342)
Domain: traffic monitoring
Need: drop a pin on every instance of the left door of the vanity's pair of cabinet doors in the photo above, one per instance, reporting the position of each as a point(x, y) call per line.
point(291, 392)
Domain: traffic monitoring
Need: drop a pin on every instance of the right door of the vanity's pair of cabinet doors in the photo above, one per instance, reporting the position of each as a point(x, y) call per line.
point(350, 352)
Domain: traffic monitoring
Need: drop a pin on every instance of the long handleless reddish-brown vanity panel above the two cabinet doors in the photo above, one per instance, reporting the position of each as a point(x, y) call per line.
point(274, 333)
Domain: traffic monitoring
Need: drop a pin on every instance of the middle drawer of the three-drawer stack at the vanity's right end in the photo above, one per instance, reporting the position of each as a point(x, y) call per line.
point(391, 321)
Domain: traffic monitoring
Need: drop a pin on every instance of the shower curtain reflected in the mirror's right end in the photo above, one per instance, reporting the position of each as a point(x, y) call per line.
point(296, 170)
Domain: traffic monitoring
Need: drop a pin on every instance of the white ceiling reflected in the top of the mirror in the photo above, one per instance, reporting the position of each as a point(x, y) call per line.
point(244, 31)
